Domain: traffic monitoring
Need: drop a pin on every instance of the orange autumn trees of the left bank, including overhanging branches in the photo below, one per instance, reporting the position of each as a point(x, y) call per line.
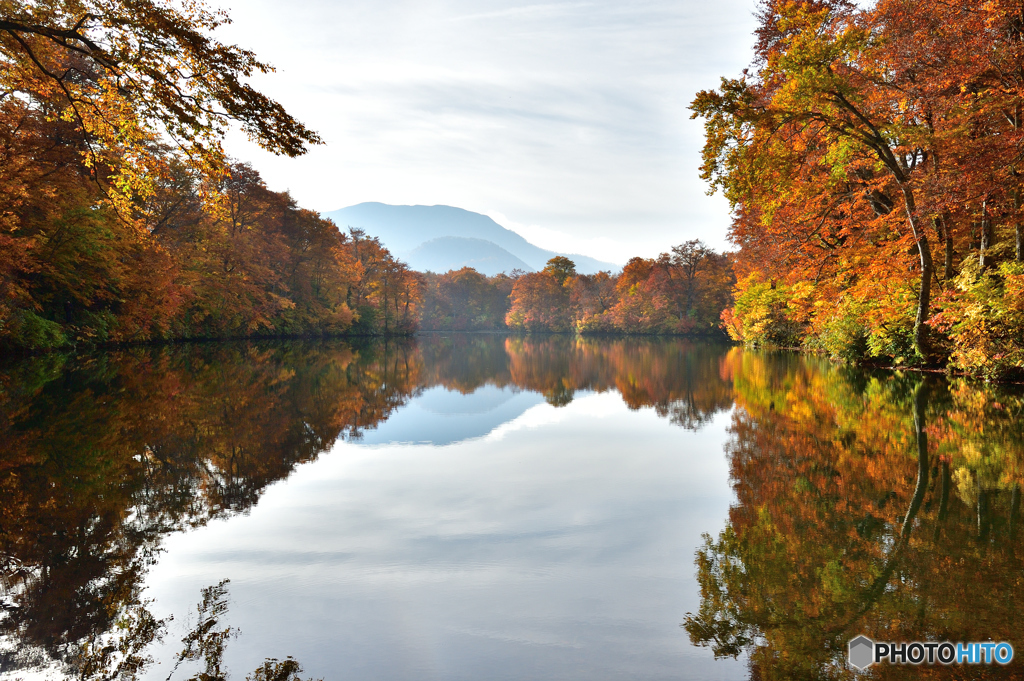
point(124, 221)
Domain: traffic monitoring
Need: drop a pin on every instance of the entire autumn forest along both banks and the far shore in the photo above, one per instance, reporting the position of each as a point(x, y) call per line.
point(872, 157)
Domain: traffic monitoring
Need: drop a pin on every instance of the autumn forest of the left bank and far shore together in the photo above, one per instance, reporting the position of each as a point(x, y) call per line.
point(124, 221)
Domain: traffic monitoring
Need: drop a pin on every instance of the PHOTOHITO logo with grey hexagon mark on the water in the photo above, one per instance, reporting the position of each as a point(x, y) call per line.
point(865, 653)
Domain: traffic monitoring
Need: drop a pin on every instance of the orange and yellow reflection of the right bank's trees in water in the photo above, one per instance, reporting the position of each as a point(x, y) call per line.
point(866, 504)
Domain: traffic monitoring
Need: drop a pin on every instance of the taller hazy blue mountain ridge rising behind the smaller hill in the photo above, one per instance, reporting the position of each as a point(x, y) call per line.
point(404, 229)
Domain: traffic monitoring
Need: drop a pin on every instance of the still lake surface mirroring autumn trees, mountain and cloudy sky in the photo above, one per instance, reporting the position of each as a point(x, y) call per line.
point(477, 506)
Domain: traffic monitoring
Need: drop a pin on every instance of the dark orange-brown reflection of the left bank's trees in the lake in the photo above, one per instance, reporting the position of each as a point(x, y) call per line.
point(106, 458)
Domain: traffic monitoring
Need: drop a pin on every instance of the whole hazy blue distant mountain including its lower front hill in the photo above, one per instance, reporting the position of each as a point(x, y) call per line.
point(445, 238)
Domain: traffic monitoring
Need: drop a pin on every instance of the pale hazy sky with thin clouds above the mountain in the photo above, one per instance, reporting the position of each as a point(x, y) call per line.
point(565, 121)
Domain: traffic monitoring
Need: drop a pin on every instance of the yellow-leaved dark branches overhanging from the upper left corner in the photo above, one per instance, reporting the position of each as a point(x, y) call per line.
point(129, 74)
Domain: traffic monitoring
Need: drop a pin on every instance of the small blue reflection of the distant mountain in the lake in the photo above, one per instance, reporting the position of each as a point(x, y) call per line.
point(439, 416)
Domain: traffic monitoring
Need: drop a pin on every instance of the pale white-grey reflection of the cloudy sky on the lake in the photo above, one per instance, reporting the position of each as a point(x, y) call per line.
point(560, 548)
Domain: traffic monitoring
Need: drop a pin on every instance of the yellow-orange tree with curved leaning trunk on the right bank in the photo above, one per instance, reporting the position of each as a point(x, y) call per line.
point(825, 97)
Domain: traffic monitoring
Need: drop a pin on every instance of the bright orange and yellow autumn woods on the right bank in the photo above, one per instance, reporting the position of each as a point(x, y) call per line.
point(872, 155)
